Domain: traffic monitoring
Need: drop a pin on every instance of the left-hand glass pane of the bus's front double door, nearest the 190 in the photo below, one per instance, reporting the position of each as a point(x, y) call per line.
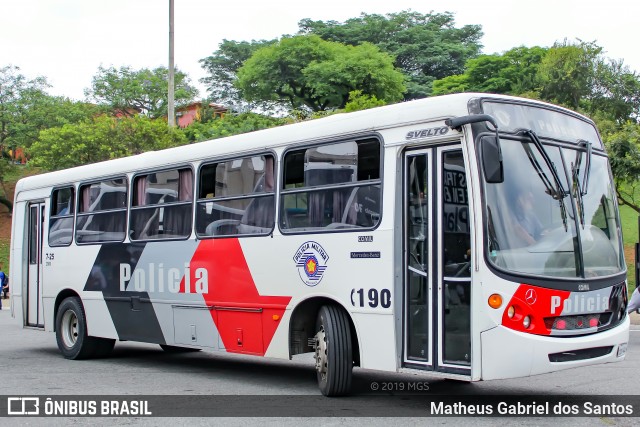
point(417, 216)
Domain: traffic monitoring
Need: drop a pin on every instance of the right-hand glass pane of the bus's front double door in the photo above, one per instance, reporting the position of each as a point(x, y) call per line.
point(456, 259)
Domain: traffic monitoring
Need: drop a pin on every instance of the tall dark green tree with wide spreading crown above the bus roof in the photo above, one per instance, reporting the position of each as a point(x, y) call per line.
point(426, 47)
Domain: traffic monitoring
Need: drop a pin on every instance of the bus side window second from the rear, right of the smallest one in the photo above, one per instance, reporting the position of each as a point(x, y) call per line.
point(102, 211)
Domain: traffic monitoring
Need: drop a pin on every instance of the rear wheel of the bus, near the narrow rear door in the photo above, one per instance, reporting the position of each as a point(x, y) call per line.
point(71, 331)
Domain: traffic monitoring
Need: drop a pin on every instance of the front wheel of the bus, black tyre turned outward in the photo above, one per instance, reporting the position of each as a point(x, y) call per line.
point(334, 353)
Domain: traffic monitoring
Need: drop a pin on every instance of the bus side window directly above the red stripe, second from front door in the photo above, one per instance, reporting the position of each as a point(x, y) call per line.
point(236, 197)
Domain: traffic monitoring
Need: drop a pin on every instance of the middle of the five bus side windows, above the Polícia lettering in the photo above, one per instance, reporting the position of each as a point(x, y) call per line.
point(162, 205)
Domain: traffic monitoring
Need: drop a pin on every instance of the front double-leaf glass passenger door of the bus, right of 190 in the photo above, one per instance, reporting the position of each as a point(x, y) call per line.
point(437, 261)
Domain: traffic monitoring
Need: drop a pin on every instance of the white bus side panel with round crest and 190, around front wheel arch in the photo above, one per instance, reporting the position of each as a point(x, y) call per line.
point(355, 272)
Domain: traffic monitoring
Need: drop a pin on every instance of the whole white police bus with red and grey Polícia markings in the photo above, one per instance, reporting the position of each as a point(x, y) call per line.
point(374, 239)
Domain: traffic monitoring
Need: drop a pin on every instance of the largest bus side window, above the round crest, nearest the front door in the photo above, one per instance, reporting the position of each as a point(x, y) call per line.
point(332, 187)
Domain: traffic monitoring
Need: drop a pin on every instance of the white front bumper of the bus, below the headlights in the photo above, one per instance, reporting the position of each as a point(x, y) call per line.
point(511, 354)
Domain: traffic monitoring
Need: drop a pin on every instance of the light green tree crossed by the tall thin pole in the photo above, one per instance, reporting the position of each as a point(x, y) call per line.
point(143, 91)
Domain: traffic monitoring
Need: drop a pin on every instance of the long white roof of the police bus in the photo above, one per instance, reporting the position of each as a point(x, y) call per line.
point(334, 126)
